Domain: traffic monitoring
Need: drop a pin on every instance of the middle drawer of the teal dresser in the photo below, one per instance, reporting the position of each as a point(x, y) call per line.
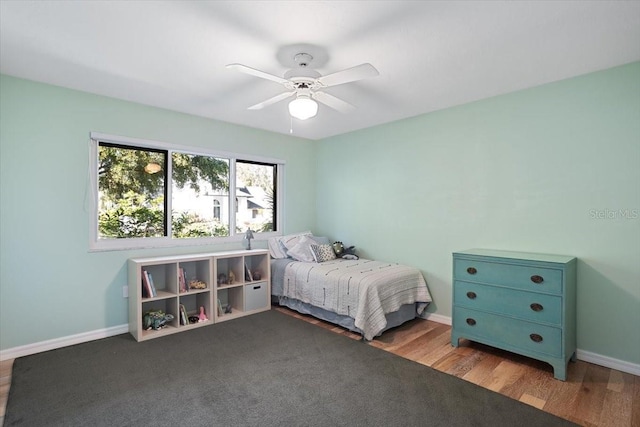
point(524, 305)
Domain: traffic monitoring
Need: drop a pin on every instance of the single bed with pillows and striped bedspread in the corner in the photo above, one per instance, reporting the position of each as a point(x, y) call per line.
point(362, 295)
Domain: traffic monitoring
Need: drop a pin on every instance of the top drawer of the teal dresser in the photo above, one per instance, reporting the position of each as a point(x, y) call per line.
point(530, 278)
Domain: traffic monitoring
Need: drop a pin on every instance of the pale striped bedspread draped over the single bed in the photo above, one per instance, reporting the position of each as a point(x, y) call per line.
point(363, 289)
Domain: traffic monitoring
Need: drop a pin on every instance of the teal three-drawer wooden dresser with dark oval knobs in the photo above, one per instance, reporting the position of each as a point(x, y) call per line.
point(521, 302)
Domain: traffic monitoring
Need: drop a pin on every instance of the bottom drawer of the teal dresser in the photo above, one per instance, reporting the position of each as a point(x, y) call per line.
point(503, 332)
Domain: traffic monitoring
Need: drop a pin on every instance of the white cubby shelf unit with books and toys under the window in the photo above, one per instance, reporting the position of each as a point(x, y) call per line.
point(228, 285)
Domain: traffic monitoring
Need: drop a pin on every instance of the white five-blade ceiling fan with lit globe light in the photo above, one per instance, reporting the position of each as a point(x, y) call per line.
point(307, 86)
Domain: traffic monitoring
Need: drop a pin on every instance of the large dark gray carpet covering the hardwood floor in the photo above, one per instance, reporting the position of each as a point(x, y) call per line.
point(267, 369)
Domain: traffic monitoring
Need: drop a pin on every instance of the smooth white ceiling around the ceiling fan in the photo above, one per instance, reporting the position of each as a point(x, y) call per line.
point(430, 54)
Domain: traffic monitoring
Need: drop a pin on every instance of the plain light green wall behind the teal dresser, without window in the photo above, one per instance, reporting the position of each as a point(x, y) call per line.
point(526, 171)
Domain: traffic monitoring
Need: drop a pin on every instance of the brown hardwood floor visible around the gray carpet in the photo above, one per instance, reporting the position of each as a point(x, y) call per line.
point(591, 396)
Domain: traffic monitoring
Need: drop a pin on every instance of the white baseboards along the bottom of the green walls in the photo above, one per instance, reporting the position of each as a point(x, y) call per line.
point(25, 350)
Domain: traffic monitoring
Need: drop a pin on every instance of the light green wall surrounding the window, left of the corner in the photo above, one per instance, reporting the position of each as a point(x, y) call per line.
point(50, 285)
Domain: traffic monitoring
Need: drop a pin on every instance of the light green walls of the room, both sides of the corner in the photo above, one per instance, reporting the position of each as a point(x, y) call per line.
point(524, 171)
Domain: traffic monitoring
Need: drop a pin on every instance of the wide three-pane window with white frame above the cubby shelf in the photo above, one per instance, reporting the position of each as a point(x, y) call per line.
point(151, 194)
